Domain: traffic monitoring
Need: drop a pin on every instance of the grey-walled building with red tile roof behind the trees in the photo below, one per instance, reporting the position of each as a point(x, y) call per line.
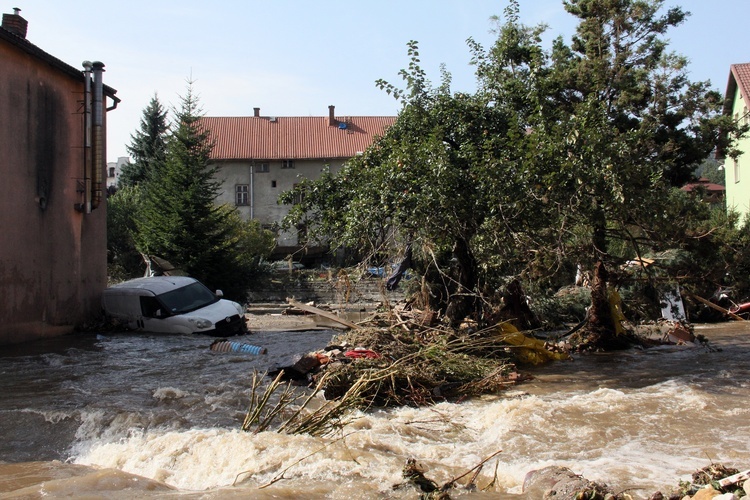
point(259, 157)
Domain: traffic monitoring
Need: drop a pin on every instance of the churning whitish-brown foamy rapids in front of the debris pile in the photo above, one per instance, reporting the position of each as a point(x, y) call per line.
point(448, 439)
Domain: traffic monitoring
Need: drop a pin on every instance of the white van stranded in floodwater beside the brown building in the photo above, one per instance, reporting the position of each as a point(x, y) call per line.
point(173, 304)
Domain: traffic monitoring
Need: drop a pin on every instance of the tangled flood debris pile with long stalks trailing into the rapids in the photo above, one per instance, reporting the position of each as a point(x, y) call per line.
point(395, 358)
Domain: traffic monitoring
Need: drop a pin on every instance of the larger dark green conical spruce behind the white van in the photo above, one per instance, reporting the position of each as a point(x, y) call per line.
point(179, 219)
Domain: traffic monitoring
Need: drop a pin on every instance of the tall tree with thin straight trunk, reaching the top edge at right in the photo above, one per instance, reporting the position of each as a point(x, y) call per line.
point(628, 125)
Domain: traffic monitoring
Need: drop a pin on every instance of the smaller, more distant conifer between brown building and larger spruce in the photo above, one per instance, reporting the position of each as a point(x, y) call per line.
point(148, 145)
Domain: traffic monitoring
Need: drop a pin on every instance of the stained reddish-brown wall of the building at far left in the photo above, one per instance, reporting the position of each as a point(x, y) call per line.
point(52, 257)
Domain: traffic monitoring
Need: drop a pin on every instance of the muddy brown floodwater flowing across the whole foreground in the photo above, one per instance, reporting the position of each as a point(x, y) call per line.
point(158, 416)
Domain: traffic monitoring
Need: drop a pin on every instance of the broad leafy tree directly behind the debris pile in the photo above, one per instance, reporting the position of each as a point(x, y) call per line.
point(441, 179)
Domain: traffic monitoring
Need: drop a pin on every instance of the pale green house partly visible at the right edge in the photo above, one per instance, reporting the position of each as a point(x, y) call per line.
point(737, 171)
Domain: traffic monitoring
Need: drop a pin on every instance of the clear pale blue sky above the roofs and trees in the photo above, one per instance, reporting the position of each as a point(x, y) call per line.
point(296, 57)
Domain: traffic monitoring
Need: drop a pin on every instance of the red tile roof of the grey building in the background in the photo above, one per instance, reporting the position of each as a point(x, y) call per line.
point(285, 137)
